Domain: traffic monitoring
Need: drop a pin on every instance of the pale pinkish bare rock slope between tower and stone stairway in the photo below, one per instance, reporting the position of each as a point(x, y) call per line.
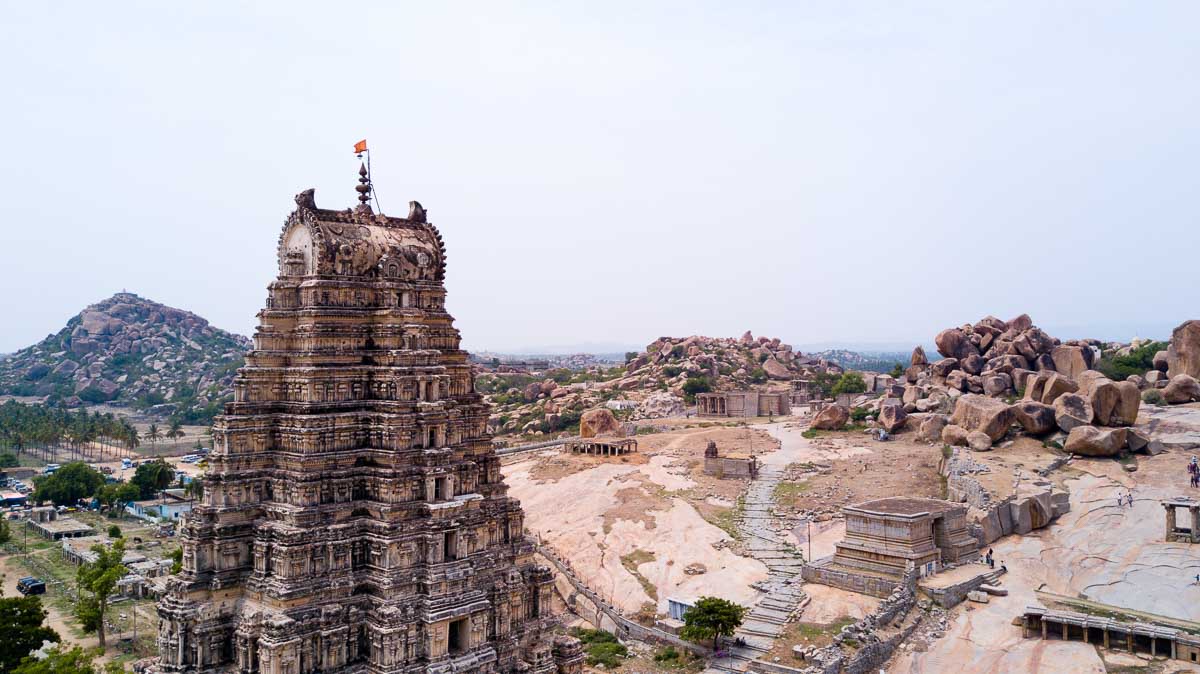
point(645, 509)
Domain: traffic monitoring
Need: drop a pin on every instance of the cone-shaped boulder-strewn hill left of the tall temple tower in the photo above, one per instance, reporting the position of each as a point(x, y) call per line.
point(131, 351)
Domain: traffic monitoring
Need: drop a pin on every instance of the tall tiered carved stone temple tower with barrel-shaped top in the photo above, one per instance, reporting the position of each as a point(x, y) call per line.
point(355, 517)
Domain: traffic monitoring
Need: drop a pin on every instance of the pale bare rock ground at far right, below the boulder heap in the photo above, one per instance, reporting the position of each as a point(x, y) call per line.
point(1099, 551)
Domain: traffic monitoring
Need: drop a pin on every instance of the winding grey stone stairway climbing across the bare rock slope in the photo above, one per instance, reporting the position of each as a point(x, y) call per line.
point(783, 595)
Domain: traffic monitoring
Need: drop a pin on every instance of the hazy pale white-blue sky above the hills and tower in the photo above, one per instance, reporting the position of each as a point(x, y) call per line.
point(609, 172)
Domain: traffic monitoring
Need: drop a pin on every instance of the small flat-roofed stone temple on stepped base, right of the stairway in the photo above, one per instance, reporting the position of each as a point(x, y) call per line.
point(887, 538)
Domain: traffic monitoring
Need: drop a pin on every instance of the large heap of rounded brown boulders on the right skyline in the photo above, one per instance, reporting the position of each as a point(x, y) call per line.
point(1003, 377)
